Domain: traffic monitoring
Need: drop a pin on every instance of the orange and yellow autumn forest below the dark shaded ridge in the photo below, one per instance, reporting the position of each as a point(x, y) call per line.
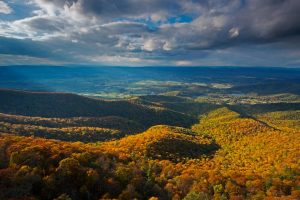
point(225, 155)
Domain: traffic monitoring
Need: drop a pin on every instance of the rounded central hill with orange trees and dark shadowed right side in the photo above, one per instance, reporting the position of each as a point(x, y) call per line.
point(164, 143)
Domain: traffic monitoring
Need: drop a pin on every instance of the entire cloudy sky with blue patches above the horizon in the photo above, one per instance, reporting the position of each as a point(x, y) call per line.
point(150, 32)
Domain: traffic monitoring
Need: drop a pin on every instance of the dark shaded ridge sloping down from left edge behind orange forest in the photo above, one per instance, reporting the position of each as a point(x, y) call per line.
point(65, 105)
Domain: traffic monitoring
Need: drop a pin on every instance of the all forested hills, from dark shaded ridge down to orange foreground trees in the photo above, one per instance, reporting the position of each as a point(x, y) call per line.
point(150, 147)
